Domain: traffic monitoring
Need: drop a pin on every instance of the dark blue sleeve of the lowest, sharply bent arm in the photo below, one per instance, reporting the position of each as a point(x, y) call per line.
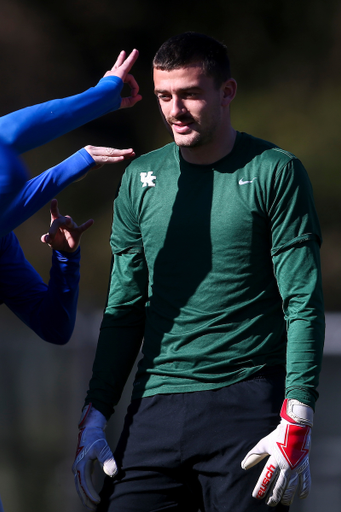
point(50, 311)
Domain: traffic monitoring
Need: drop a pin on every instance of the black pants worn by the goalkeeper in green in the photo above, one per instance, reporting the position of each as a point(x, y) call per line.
point(182, 452)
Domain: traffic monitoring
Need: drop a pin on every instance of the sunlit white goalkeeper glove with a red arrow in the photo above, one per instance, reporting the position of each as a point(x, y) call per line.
point(287, 469)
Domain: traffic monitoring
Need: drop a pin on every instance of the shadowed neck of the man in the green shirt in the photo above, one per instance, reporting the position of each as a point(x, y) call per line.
point(210, 152)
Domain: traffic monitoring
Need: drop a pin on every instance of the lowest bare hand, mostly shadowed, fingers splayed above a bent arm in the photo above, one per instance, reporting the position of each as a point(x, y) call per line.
point(64, 234)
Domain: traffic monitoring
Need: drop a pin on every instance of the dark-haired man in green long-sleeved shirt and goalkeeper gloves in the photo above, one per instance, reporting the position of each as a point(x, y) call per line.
point(216, 269)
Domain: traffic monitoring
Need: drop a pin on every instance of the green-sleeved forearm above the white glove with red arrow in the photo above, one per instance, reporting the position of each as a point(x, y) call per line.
point(299, 277)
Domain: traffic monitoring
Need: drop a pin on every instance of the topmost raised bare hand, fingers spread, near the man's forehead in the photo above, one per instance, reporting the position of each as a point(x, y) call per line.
point(121, 69)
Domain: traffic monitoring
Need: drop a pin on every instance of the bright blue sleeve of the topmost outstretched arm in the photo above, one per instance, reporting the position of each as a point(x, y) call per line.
point(33, 126)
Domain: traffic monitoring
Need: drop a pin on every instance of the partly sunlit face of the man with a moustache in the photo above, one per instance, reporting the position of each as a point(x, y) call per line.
point(191, 105)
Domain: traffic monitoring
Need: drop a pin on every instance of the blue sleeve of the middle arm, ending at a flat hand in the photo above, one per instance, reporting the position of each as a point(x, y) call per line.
point(40, 190)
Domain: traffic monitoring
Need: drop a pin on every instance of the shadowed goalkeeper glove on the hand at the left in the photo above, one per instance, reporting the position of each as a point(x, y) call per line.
point(92, 446)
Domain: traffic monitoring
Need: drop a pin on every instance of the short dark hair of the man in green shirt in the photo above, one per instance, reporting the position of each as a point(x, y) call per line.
point(191, 48)
